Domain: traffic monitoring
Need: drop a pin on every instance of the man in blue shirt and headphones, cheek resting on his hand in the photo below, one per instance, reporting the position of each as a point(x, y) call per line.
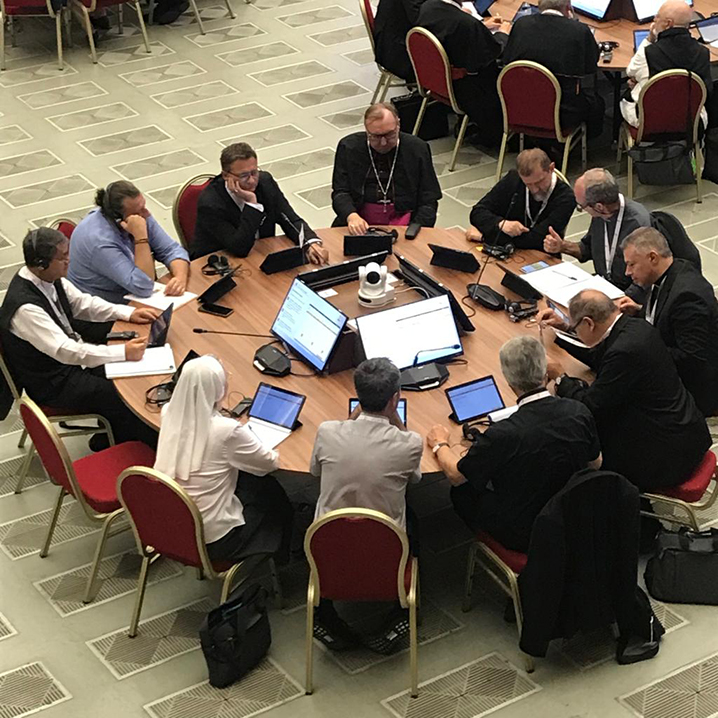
point(114, 248)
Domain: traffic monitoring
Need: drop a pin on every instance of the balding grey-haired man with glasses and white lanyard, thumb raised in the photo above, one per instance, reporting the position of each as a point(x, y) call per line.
point(613, 217)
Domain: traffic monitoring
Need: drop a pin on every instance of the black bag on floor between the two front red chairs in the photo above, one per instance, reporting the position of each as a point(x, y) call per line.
point(236, 636)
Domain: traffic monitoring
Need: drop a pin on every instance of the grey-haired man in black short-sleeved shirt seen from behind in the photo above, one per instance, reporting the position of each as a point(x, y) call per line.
point(511, 470)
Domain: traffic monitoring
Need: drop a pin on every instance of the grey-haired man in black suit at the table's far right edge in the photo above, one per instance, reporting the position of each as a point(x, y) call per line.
point(681, 304)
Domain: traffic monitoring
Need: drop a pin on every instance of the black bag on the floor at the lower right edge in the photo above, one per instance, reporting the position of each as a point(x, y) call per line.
point(685, 567)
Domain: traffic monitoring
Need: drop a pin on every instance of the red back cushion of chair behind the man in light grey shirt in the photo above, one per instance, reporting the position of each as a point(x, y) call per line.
point(357, 559)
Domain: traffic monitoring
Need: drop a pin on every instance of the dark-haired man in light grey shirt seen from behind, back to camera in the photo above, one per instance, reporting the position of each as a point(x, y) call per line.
point(367, 462)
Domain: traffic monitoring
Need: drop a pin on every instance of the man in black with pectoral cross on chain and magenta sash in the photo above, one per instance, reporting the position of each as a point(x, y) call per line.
point(383, 176)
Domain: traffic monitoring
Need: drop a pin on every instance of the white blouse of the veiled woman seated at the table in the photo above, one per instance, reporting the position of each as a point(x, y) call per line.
point(231, 447)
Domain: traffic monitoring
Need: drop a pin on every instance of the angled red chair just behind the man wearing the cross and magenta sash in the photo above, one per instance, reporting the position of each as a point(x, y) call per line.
point(434, 75)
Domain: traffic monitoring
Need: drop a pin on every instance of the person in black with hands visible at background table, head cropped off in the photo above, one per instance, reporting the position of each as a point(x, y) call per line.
point(472, 50)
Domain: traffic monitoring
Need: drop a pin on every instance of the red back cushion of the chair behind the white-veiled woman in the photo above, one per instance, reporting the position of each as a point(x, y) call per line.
point(162, 516)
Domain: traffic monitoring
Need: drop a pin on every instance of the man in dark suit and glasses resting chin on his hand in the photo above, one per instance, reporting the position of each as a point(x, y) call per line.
point(243, 204)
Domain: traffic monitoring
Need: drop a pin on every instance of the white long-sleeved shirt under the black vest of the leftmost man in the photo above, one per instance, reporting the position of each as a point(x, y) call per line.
point(36, 326)
